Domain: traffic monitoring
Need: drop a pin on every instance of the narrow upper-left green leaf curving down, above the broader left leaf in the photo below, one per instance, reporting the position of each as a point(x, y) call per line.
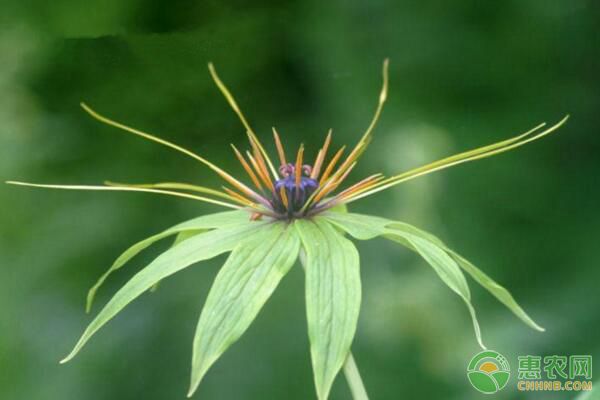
point(199, 224)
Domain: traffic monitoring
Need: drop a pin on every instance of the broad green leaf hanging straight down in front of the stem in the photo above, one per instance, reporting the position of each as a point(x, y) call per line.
point(333, 293)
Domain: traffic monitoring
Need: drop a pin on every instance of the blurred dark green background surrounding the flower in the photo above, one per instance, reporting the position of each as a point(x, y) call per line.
point(463, 74)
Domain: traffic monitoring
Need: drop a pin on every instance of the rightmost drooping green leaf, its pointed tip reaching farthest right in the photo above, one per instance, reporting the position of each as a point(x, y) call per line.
point(366, 227)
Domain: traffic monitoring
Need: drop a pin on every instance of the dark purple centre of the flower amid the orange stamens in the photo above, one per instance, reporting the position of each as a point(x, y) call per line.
point(291, 192)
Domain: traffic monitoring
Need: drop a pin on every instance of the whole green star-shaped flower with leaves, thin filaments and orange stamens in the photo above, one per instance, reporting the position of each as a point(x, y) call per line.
point(295, 211)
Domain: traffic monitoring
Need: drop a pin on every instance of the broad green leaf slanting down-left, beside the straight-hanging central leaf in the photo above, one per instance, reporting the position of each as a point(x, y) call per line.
point(243, 285)
